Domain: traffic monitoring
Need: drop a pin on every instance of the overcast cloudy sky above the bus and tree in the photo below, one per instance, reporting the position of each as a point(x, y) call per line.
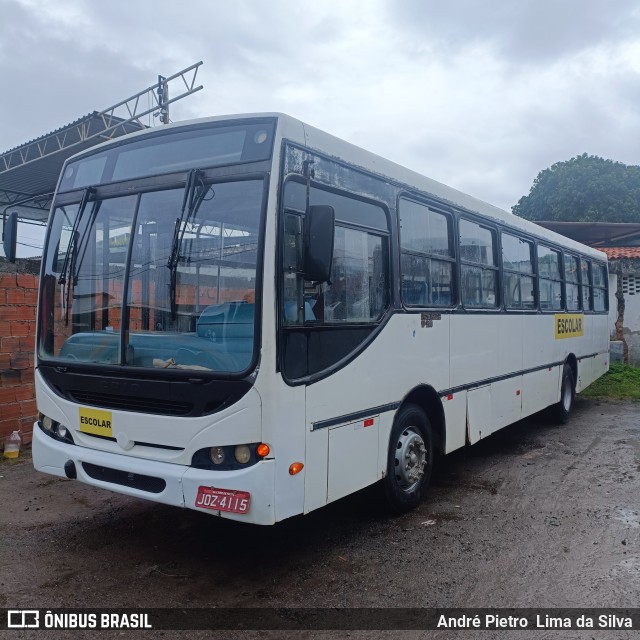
point(479, 94)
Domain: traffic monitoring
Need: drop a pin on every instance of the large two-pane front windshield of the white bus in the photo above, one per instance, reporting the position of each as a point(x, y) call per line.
point(159, 280)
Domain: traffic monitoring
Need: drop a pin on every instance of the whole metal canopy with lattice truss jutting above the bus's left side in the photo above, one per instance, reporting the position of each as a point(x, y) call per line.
point(29, 173)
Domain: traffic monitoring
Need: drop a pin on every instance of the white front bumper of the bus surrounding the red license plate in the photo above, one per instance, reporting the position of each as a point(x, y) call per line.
point(180, 482)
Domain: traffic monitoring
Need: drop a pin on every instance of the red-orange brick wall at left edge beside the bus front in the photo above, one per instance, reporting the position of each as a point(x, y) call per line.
point(18, 300)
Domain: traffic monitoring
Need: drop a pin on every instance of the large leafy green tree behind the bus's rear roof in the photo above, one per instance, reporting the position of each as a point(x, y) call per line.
point(584, 189)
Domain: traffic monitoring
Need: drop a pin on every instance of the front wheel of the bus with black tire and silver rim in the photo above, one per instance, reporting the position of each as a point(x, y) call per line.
point(409, 461)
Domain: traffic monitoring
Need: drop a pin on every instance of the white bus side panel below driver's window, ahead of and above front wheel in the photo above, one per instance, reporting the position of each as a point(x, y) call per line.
point(407, 353)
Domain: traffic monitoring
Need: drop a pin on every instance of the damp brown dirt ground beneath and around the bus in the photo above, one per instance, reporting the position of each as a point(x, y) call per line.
point(535, 515)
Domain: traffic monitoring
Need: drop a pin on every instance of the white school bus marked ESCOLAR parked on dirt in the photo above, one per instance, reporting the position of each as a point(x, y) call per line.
point(252, 318)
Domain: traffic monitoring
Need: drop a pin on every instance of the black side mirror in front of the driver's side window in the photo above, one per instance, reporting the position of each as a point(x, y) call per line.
point(318, 243)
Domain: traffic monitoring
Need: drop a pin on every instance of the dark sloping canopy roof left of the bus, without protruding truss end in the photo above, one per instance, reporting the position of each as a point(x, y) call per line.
point(31, 170)
